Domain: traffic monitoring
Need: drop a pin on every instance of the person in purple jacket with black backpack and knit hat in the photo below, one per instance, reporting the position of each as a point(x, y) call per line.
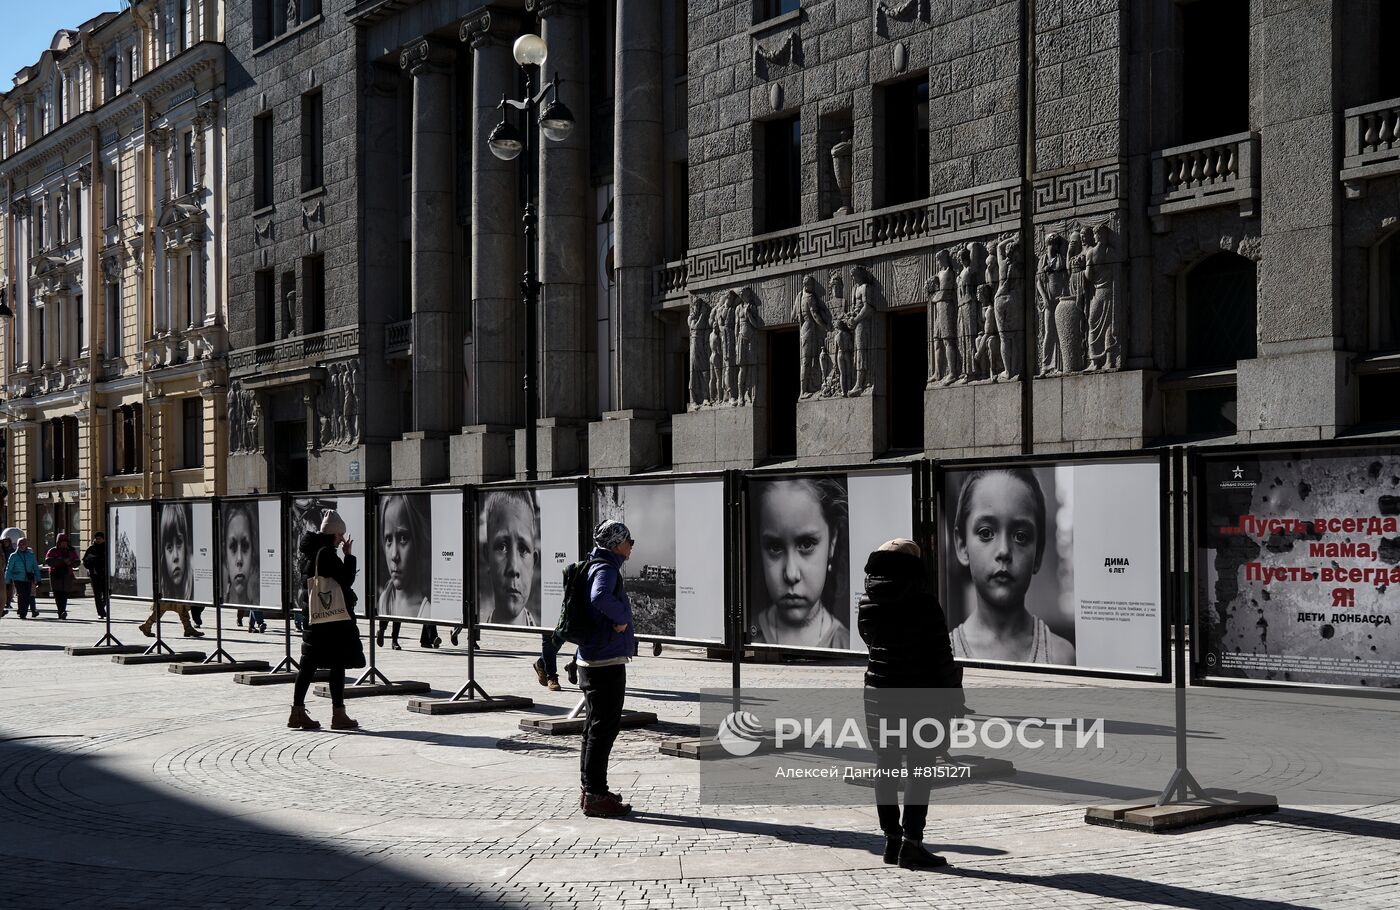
point(603, 667)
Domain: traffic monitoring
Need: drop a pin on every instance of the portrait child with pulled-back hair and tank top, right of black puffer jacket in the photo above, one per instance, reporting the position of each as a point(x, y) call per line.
point(999, 537)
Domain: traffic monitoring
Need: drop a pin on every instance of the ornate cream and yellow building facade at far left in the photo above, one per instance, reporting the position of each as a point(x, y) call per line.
point(113, 255)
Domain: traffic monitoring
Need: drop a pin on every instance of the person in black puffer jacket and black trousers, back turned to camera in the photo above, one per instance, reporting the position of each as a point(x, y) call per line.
point(905, 631)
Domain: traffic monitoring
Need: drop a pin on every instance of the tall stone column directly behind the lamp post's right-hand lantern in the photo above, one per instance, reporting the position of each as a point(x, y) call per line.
point(565, 247)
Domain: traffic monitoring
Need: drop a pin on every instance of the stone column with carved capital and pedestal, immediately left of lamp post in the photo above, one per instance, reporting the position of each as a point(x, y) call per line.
point(495, 395)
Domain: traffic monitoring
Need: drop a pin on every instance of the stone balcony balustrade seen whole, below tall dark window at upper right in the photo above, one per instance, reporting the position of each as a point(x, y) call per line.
point(1203, 176)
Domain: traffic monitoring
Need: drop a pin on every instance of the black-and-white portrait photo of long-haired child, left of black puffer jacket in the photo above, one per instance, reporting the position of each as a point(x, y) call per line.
point(800, 591)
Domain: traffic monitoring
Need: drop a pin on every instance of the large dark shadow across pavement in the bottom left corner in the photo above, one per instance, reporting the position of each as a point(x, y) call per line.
point(73, 834)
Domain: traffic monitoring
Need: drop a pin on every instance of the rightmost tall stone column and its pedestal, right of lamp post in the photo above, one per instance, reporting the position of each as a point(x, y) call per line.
point(626, 439)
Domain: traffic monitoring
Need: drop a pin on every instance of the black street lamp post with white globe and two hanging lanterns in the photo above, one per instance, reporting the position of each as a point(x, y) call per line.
point(507, 143)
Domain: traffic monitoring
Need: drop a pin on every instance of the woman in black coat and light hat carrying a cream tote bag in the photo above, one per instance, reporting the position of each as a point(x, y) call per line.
point(328, 646)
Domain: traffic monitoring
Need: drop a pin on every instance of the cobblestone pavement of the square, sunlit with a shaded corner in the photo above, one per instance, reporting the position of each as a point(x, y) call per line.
point(134, 787)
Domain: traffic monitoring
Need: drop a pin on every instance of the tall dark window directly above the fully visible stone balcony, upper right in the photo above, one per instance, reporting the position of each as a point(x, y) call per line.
point(1214, 87)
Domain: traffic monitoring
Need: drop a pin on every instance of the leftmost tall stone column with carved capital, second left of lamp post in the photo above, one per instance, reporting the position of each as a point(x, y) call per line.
point(436, 352)
